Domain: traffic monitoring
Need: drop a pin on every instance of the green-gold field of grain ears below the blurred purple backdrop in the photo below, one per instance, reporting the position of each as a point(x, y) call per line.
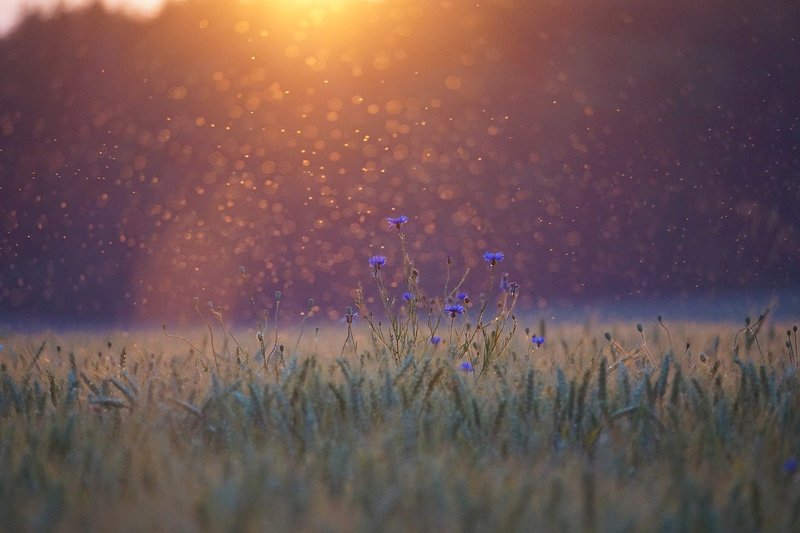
point(685, 427)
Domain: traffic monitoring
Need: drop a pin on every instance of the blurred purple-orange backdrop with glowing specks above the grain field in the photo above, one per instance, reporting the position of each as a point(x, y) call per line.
point(622, 152)
